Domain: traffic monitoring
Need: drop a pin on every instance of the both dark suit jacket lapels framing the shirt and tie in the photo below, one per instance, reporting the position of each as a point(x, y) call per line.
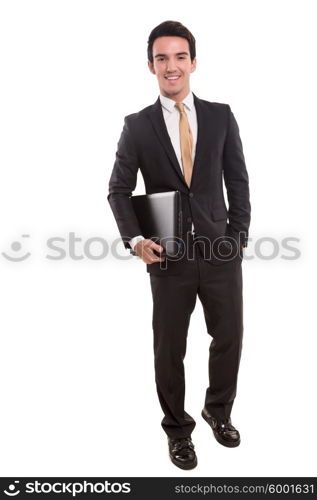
point(157, 119)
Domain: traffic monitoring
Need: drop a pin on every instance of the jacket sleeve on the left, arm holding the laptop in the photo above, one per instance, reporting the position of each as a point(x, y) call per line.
point(122, 182)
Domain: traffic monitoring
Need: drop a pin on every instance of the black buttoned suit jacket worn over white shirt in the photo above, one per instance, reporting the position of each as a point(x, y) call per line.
point(145, 144)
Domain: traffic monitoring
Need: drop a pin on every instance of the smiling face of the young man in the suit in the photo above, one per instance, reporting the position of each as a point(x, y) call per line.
point(172, 66)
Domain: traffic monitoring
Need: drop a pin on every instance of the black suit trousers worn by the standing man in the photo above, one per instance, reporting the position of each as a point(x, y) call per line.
point(219, 288)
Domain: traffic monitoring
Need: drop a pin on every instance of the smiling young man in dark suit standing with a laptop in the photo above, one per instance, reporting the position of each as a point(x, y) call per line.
point(187, 144)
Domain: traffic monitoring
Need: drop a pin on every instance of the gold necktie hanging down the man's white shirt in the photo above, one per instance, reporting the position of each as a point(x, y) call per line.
point(186, 142)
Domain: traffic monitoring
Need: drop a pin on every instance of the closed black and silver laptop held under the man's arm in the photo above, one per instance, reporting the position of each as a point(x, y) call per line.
point(160, 219)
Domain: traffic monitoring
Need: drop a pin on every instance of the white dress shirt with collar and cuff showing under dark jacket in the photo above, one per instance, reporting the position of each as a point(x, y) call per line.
point(171, 116)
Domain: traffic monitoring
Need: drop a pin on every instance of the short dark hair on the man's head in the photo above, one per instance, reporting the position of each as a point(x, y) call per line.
point(171, 28)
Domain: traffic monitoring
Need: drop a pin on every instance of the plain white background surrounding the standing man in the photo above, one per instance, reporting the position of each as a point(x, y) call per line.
point(78, 395)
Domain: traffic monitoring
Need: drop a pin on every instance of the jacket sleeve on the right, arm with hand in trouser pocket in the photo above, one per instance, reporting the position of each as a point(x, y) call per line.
point(236, 181)
